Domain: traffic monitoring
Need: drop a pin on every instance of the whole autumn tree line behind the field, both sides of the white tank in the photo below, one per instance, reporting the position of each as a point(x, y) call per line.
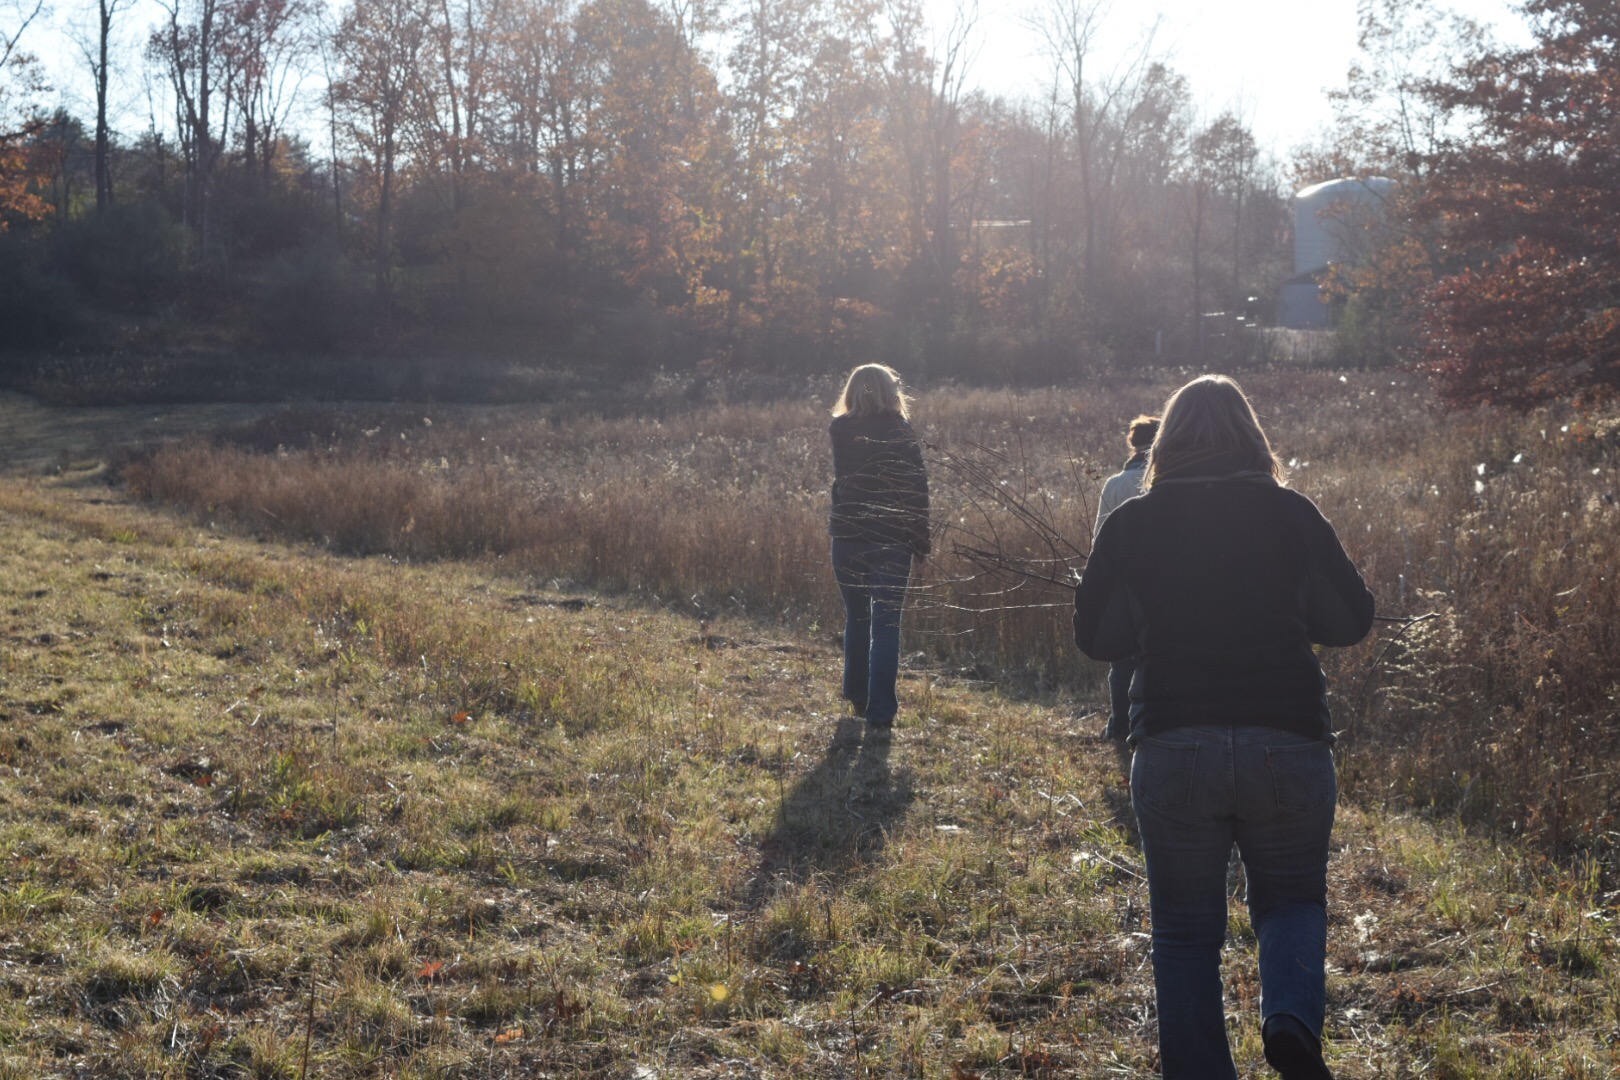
point(790, 185)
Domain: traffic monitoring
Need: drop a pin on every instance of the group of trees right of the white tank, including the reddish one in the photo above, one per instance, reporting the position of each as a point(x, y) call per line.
point(1498, 266)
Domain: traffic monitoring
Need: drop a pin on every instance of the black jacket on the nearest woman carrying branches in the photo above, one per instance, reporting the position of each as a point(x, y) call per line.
point(1221, 587)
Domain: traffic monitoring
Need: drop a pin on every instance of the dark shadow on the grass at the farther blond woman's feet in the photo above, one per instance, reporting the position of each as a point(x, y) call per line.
point(837, 819)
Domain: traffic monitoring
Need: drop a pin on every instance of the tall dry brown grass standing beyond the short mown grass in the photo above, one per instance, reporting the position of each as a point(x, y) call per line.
point(1499, 532)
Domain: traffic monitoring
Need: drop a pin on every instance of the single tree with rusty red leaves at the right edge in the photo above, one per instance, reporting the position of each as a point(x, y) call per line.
point(1528, 206)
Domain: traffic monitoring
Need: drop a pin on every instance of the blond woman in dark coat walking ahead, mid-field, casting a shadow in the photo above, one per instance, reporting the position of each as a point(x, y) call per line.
point(879, 527)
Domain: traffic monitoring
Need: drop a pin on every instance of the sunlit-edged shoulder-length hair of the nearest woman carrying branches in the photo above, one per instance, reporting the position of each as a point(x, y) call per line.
point(1209, 430)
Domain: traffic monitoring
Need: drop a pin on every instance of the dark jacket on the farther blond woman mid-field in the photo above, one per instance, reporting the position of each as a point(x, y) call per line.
point(880, 488)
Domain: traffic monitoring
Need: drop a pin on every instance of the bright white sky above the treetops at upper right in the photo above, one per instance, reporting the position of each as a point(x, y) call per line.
point(1268, 61)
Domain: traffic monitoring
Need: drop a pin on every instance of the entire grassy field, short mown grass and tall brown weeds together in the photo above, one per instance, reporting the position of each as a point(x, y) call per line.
point(383, 744)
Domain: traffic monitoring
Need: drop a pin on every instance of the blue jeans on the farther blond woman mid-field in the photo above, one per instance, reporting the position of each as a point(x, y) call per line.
point(872, 579)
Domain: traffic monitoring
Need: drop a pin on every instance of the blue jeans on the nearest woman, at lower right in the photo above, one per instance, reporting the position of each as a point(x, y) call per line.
point(1196, 793)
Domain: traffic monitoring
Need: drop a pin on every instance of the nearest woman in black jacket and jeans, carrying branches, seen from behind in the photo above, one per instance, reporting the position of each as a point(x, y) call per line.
point(1221, 580)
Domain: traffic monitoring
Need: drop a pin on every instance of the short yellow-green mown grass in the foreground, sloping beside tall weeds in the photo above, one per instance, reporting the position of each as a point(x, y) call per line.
point(273, 814)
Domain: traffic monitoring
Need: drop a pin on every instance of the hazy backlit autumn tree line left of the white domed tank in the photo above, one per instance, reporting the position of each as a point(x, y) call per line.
point(774, 184)
